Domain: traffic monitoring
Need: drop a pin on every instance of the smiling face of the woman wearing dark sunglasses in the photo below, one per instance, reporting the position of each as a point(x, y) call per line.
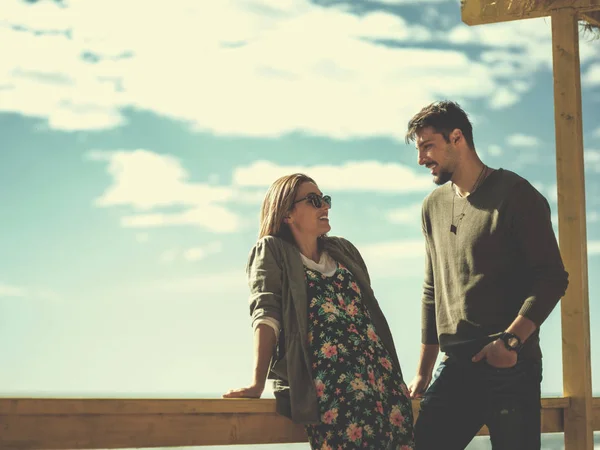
point(306, 219)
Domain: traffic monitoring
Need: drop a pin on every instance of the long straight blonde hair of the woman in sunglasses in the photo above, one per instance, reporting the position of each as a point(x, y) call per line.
point(278, 201)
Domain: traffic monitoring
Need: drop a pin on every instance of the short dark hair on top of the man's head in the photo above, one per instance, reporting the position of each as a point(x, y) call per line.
point(444, 117)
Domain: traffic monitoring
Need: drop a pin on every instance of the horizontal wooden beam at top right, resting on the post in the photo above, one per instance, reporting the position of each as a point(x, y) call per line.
point(478, 12)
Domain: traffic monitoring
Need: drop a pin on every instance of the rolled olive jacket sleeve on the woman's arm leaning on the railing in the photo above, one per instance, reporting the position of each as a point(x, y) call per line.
point(265, 282)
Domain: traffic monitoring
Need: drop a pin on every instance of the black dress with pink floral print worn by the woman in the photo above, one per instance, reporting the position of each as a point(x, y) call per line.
point(363, 401)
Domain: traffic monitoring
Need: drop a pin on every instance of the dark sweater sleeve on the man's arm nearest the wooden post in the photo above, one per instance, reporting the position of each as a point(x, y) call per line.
point(532, 229)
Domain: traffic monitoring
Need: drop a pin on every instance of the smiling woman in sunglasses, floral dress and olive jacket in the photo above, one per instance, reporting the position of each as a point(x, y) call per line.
point(319, 331)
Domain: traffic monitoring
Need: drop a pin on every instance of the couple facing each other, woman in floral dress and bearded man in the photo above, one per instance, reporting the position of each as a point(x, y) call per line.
point(493, 274)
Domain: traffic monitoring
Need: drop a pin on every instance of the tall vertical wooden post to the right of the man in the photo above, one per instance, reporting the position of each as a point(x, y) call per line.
point(577, 379)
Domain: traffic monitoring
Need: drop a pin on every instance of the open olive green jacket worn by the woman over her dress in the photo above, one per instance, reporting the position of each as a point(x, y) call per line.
point(278, 290)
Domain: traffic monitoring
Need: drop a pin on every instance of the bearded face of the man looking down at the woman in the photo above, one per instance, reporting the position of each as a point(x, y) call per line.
point(436, 154)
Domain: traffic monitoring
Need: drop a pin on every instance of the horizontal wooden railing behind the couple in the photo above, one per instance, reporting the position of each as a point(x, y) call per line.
point(27, 424)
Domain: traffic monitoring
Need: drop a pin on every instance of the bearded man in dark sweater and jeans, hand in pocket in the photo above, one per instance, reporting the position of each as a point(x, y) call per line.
point(493, 275)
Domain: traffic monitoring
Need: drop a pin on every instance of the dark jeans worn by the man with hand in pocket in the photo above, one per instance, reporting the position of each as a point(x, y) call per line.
point(464, 396)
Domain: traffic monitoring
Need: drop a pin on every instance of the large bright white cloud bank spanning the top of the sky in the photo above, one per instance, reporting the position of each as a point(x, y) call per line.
point(249, 67)
